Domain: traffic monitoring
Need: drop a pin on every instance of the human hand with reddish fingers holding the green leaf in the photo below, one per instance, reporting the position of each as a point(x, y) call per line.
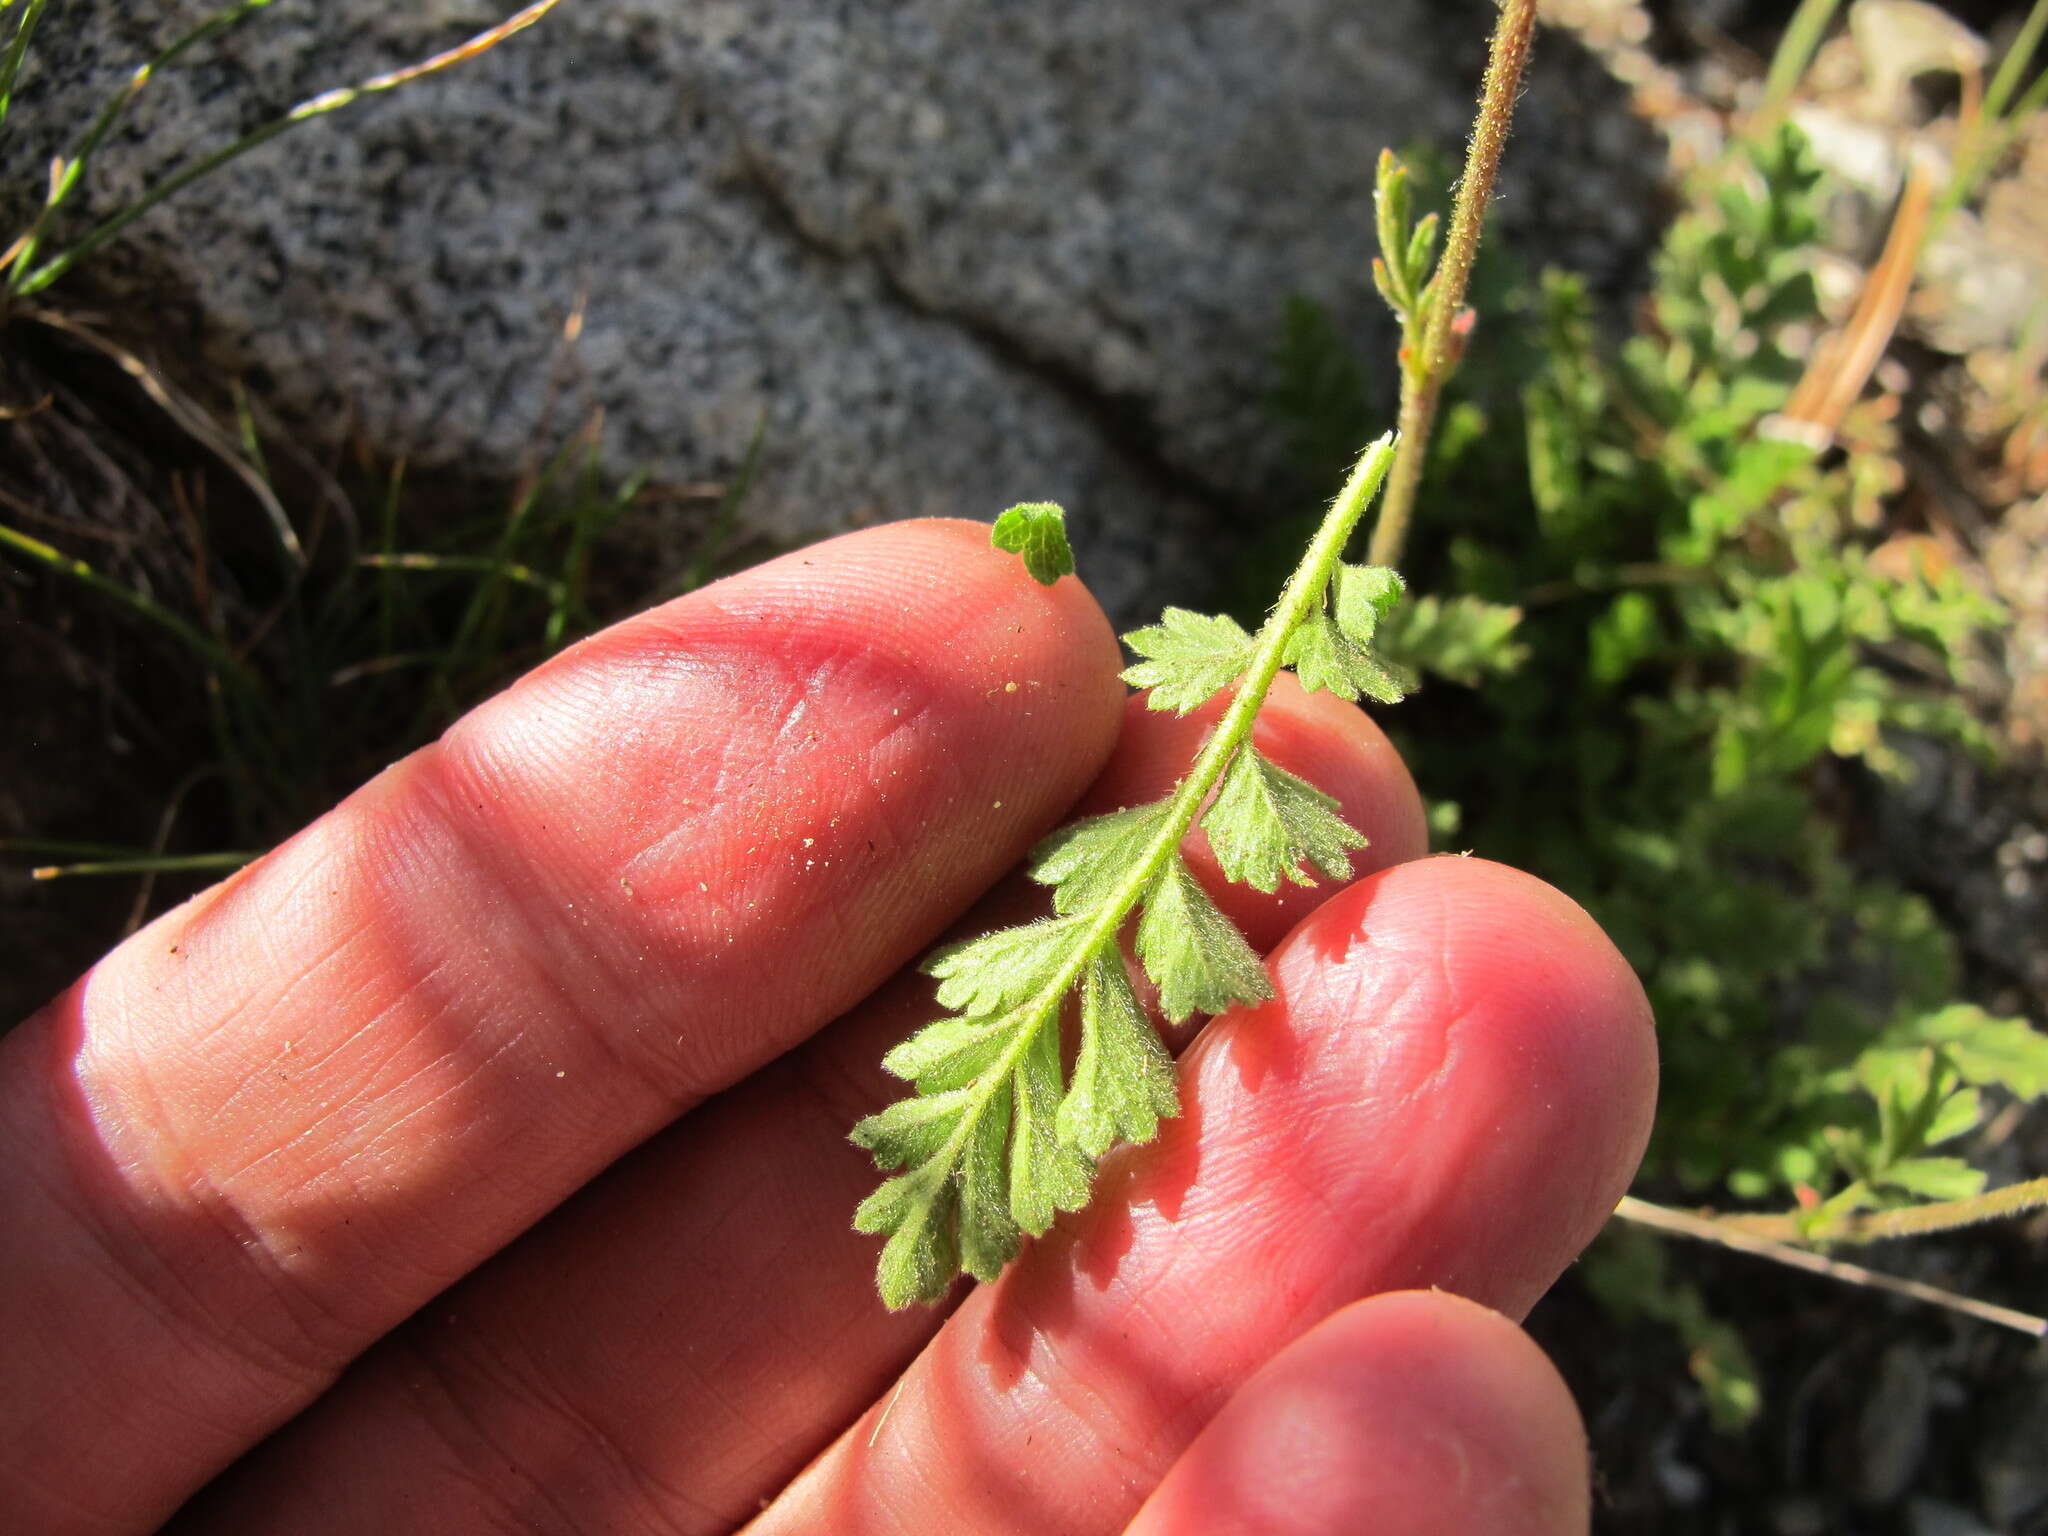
point(271, 1156)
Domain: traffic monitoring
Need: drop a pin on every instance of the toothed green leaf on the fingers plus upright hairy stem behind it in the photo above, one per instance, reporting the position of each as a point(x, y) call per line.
point(996, 1138)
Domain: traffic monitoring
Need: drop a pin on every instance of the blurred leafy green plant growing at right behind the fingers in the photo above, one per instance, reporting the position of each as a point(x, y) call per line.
point(1689, 634)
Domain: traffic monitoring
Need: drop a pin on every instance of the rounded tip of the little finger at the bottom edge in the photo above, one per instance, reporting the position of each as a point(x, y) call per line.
point(1414, 1414)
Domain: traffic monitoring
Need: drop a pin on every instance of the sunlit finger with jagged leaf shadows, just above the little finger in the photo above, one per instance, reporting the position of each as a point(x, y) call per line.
point(1451, 1089)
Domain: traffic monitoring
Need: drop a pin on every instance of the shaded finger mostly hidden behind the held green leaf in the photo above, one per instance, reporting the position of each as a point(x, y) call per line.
point(691, 1330)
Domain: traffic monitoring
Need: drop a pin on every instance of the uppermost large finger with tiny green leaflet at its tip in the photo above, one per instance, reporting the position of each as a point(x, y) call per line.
point(278, 1121)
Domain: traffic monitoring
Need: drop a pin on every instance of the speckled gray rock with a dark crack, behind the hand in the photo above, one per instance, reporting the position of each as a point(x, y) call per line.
point(953, 253)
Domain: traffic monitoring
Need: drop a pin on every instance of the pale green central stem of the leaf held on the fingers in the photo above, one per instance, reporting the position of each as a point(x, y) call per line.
point(1304, 593)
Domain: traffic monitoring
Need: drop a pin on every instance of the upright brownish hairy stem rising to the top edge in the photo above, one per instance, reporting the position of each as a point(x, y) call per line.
point(1422, 384)
